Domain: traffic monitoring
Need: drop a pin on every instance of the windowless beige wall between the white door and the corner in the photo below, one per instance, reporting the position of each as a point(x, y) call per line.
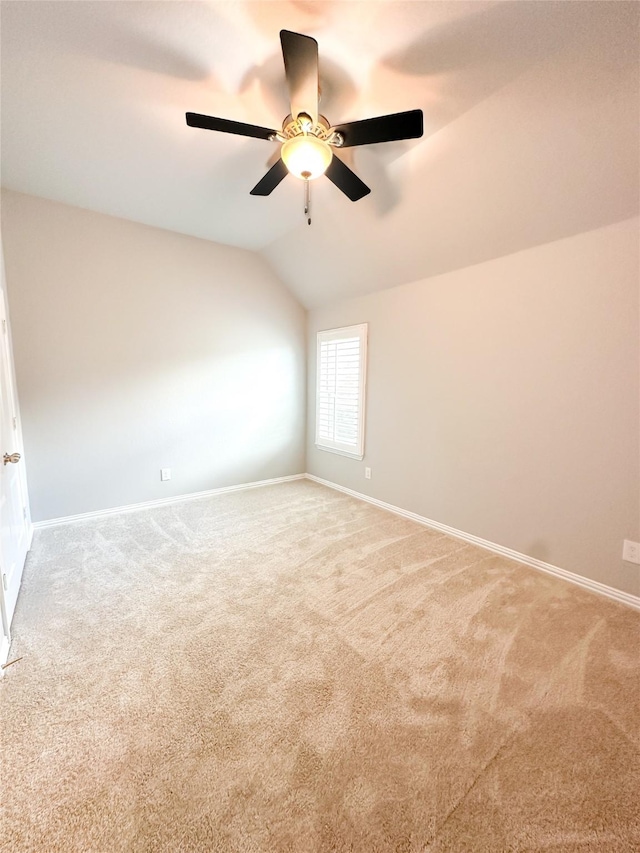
point(136, 349)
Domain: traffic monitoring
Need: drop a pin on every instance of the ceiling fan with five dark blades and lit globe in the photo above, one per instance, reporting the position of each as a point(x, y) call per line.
point(308, 140)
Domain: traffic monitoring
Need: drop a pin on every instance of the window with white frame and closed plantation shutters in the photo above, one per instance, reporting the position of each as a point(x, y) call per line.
point(341, 369)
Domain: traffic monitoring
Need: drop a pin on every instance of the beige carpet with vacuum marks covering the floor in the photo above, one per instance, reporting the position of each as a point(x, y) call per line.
point(289, 669)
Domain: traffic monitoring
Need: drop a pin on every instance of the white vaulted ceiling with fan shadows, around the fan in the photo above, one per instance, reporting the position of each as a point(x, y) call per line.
point(531, 125)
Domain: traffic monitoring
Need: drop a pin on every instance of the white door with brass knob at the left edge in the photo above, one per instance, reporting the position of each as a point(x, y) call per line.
point(15, 524)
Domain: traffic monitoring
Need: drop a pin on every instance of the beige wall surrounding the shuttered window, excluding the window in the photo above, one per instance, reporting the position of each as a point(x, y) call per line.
point(503, 399)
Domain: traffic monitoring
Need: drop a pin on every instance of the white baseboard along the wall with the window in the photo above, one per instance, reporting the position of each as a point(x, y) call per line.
point(579, 580)
